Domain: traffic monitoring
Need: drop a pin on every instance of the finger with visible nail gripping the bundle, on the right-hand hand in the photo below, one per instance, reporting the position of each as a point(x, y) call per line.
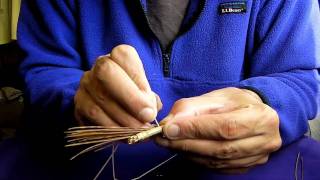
point(238, 124)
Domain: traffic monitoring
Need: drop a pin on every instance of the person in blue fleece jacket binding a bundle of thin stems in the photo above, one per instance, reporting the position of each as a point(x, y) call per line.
point(233, 81)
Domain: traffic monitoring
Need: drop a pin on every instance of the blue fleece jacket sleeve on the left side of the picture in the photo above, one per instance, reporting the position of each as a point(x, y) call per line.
point(51, 67)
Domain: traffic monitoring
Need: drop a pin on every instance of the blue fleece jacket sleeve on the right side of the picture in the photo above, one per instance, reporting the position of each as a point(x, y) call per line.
point(284, 61)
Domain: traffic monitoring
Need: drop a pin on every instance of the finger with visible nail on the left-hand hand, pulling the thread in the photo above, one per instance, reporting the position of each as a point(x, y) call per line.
point(109, 82)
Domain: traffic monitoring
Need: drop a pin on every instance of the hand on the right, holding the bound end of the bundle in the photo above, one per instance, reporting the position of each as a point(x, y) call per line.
point(228, 129)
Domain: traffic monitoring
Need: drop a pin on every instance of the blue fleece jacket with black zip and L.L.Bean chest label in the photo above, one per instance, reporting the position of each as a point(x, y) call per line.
point(272, 48)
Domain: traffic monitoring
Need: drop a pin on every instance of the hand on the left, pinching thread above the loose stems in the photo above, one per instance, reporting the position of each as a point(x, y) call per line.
point(116, 92)
